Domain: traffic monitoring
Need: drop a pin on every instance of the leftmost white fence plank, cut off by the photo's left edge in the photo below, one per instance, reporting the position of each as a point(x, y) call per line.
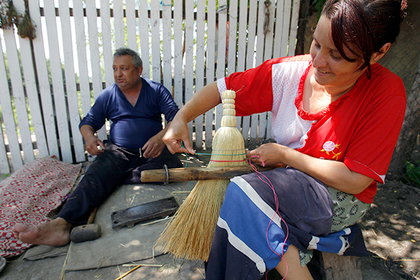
point(8, 120)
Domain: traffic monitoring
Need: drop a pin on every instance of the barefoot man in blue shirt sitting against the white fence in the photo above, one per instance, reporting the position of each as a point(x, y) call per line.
point(134, 105)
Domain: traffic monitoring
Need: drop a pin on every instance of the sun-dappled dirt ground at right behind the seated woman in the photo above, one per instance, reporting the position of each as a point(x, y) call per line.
point(392, 230)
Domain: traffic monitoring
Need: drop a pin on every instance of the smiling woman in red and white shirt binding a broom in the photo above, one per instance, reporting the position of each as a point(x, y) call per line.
point(336, 119)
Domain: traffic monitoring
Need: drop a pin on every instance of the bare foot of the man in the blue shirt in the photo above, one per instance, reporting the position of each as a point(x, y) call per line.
point(54, 233)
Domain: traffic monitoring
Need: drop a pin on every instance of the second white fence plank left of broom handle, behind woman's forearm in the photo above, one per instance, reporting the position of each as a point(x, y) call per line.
point(199, 67)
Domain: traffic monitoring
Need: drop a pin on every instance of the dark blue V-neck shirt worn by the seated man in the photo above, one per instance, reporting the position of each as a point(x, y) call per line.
point(132, 126)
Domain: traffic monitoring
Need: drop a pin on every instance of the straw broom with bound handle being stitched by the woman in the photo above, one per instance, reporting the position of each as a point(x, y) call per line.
point(190, 232)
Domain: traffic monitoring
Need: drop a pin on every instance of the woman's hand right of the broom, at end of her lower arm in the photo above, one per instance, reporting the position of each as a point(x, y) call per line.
point(266, 155)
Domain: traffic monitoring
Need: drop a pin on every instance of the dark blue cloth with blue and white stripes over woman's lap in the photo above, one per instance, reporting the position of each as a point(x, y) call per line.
point(256, 230)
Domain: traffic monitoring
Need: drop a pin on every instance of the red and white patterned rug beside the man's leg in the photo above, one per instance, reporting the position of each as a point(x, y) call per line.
point(29, 194)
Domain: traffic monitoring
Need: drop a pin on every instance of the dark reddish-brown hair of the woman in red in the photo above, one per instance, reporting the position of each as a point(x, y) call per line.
point(367, 24)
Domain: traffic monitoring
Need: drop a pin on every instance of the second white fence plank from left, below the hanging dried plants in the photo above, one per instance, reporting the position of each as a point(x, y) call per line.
point(19, 99)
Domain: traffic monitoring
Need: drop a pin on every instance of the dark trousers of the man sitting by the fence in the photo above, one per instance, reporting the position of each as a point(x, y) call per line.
point(112, 168)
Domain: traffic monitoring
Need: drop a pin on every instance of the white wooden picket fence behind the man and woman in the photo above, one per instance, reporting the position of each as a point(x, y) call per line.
point(49, 83)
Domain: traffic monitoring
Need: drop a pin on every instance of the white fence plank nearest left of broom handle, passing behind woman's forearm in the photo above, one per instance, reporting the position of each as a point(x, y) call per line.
point(211, 37)
